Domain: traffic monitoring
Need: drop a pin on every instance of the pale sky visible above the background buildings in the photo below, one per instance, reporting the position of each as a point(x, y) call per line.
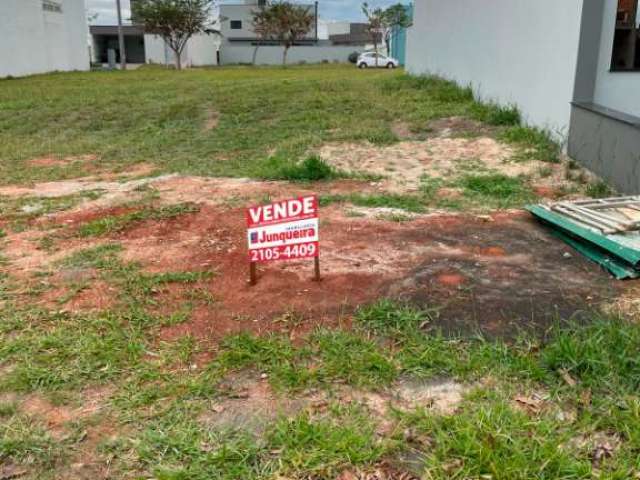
point(329, 9)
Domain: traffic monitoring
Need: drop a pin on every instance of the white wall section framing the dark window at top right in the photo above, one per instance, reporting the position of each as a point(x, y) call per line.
point(616, 90)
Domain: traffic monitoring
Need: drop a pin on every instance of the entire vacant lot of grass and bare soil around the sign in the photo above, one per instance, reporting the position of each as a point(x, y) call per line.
point(451, 336)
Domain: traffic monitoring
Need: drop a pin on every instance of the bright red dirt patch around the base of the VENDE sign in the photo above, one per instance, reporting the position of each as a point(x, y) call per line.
point(213, 240)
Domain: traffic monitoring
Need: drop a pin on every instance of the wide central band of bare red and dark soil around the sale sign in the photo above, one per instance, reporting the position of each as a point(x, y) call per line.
point(497, 273)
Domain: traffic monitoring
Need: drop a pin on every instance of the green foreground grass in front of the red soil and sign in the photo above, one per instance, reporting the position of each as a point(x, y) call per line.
point(162, 402)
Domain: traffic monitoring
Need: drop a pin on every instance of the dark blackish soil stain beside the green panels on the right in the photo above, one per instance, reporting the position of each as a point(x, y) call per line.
point(519, 279)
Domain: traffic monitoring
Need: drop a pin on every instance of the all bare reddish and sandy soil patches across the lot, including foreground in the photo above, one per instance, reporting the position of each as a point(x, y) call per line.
point(499, 274)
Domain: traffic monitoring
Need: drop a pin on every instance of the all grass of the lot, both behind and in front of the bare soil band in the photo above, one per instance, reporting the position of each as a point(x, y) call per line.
point(103, 394)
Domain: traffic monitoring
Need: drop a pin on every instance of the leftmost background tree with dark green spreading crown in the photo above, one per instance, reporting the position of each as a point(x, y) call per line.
point(176, 21)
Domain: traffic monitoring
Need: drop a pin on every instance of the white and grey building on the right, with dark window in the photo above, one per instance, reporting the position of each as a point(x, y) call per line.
point(570, 66)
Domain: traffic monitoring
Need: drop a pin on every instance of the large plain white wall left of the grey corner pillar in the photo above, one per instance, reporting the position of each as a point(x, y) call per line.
point(520, 52)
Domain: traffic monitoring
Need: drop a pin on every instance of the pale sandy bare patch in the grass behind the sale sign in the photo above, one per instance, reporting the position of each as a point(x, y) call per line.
point(457, 146)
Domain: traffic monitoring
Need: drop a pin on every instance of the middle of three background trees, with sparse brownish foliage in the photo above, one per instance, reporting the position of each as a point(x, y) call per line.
point(283, 22)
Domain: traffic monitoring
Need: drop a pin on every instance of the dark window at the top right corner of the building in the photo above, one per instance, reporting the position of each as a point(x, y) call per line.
point(626, 42)
